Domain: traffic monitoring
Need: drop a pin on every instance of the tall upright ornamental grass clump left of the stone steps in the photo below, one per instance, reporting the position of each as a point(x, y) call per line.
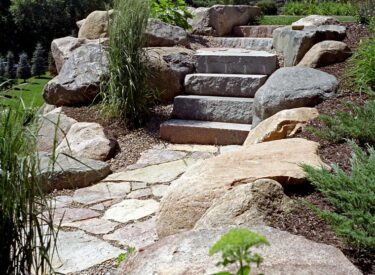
point(127, 94)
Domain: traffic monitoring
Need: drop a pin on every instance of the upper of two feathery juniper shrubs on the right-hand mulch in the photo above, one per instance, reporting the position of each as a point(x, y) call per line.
point(358, 123)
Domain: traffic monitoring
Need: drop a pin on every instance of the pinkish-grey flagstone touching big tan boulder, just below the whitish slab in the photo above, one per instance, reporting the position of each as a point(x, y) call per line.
point(138, 235)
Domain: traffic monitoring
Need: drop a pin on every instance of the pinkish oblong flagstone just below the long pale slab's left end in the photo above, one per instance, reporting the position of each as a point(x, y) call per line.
point(102, 191)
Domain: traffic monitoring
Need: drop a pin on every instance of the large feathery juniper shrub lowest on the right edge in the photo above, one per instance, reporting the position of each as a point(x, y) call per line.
point(351, 196)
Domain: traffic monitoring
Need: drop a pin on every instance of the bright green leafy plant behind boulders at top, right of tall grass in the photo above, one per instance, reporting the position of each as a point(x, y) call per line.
point(171, 12)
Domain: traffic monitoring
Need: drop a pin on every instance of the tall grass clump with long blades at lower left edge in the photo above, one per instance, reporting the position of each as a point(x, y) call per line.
point(26, 228)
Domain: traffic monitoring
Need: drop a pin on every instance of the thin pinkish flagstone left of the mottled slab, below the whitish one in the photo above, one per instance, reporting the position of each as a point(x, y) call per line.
point(95, 226)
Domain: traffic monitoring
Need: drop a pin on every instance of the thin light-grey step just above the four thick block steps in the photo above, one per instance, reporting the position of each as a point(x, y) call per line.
point(257, 44)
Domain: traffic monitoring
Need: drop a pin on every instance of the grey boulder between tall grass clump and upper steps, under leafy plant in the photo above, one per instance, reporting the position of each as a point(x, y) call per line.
point(160, 34)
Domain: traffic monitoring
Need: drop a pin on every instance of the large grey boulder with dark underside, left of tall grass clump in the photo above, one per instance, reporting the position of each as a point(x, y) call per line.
point(79, 79)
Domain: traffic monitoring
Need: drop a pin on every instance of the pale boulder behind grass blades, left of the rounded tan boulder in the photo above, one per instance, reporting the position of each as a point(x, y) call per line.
point(53, 127)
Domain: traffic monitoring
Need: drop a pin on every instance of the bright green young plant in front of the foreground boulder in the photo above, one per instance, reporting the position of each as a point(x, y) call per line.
point(235, 247)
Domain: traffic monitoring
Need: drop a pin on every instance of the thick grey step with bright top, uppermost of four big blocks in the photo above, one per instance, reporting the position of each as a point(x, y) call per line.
point(235, 61)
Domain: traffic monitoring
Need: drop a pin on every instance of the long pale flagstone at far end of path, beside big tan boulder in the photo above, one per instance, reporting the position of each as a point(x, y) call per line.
point(165, 172)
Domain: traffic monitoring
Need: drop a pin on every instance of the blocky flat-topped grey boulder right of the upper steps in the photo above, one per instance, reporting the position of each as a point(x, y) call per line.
point(294, 44)
